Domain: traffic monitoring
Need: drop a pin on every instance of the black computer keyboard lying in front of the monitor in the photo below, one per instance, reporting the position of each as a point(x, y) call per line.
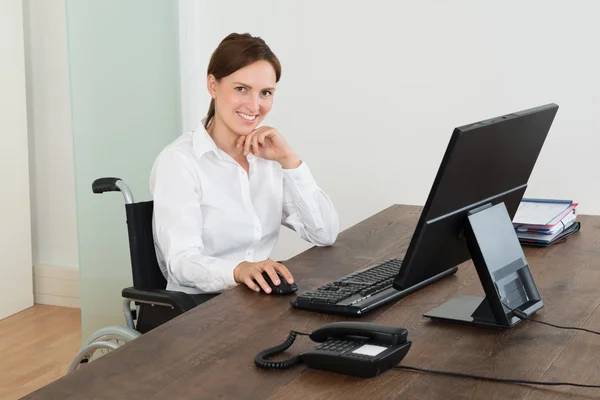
point(356, 293)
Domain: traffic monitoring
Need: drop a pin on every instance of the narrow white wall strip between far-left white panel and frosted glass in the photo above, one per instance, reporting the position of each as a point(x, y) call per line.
point(54, 230)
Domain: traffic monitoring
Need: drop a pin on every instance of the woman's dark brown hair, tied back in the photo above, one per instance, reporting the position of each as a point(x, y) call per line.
point(235, 52)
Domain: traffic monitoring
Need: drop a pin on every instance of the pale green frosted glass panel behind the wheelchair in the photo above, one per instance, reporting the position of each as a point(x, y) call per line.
point(124, 71)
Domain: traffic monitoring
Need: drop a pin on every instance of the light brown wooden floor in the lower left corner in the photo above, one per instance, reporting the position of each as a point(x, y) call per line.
point(36, 348)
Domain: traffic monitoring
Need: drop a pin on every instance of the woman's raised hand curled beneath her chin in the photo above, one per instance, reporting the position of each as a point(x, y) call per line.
point(266, 142)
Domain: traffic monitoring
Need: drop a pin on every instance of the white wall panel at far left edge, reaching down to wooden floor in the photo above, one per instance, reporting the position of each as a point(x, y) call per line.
point(15, 236)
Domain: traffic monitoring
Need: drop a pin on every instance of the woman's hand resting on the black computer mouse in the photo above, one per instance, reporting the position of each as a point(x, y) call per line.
point(250, 273)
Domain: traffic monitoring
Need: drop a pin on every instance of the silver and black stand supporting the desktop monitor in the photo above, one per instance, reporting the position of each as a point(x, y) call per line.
point(503, 272)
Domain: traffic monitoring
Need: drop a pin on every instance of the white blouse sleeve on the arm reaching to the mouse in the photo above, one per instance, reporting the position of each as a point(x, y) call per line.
point(178, 226)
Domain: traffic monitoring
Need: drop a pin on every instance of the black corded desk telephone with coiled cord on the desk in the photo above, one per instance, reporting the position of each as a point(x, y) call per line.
point(354, 348)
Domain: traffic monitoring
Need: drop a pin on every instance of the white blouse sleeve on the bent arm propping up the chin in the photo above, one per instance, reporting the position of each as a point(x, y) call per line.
point(307, 209)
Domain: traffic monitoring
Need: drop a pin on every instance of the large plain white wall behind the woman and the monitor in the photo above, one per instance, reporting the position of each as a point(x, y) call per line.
point(371, 91)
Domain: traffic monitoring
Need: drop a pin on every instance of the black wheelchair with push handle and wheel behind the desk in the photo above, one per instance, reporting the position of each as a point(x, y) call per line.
point(154, 305)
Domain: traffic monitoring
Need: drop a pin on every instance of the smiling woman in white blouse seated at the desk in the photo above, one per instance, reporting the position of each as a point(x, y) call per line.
point(222, 192)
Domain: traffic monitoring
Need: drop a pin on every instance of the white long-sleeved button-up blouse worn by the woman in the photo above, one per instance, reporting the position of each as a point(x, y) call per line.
point(210, 215)
